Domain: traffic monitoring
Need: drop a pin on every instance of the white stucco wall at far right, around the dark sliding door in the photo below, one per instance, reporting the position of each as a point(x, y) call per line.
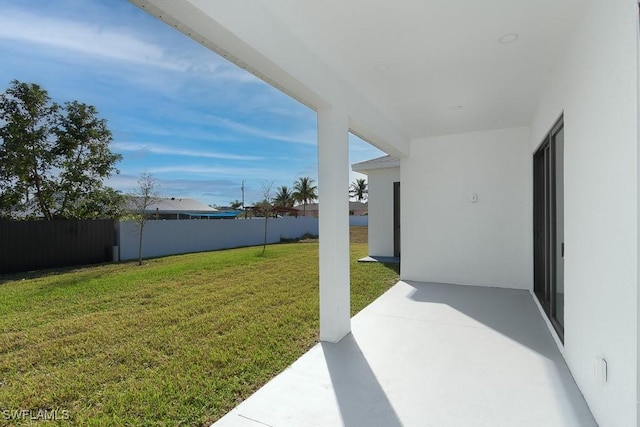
point(596, 86)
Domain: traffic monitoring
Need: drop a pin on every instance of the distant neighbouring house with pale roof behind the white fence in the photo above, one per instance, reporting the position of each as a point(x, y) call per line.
point(177, 208)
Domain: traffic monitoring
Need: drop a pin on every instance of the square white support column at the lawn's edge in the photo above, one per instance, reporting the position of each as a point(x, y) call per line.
point(333, 185)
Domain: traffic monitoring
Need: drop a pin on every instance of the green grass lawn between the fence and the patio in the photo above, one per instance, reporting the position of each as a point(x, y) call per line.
point(178, 341)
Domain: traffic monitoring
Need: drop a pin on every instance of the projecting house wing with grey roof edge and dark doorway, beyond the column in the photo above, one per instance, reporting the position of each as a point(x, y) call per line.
point(383, 177)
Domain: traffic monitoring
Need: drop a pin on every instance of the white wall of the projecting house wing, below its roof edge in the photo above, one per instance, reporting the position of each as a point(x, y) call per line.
point(381, 210)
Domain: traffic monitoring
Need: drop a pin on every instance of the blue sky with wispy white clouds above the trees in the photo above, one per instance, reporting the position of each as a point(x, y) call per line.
point(197, 122)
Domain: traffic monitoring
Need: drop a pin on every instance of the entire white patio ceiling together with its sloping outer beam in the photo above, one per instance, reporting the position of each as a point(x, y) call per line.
point(431, 67)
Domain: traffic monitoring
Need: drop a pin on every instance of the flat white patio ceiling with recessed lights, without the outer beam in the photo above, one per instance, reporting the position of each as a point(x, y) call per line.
point(438, 66)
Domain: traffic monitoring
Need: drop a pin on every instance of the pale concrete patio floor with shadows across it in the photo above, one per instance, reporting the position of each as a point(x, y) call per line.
point(427, 354)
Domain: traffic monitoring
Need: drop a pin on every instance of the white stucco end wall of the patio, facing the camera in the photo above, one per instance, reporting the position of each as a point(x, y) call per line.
point(447, 238)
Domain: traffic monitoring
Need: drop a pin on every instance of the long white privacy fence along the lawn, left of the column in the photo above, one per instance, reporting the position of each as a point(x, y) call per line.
point(162, 238)
